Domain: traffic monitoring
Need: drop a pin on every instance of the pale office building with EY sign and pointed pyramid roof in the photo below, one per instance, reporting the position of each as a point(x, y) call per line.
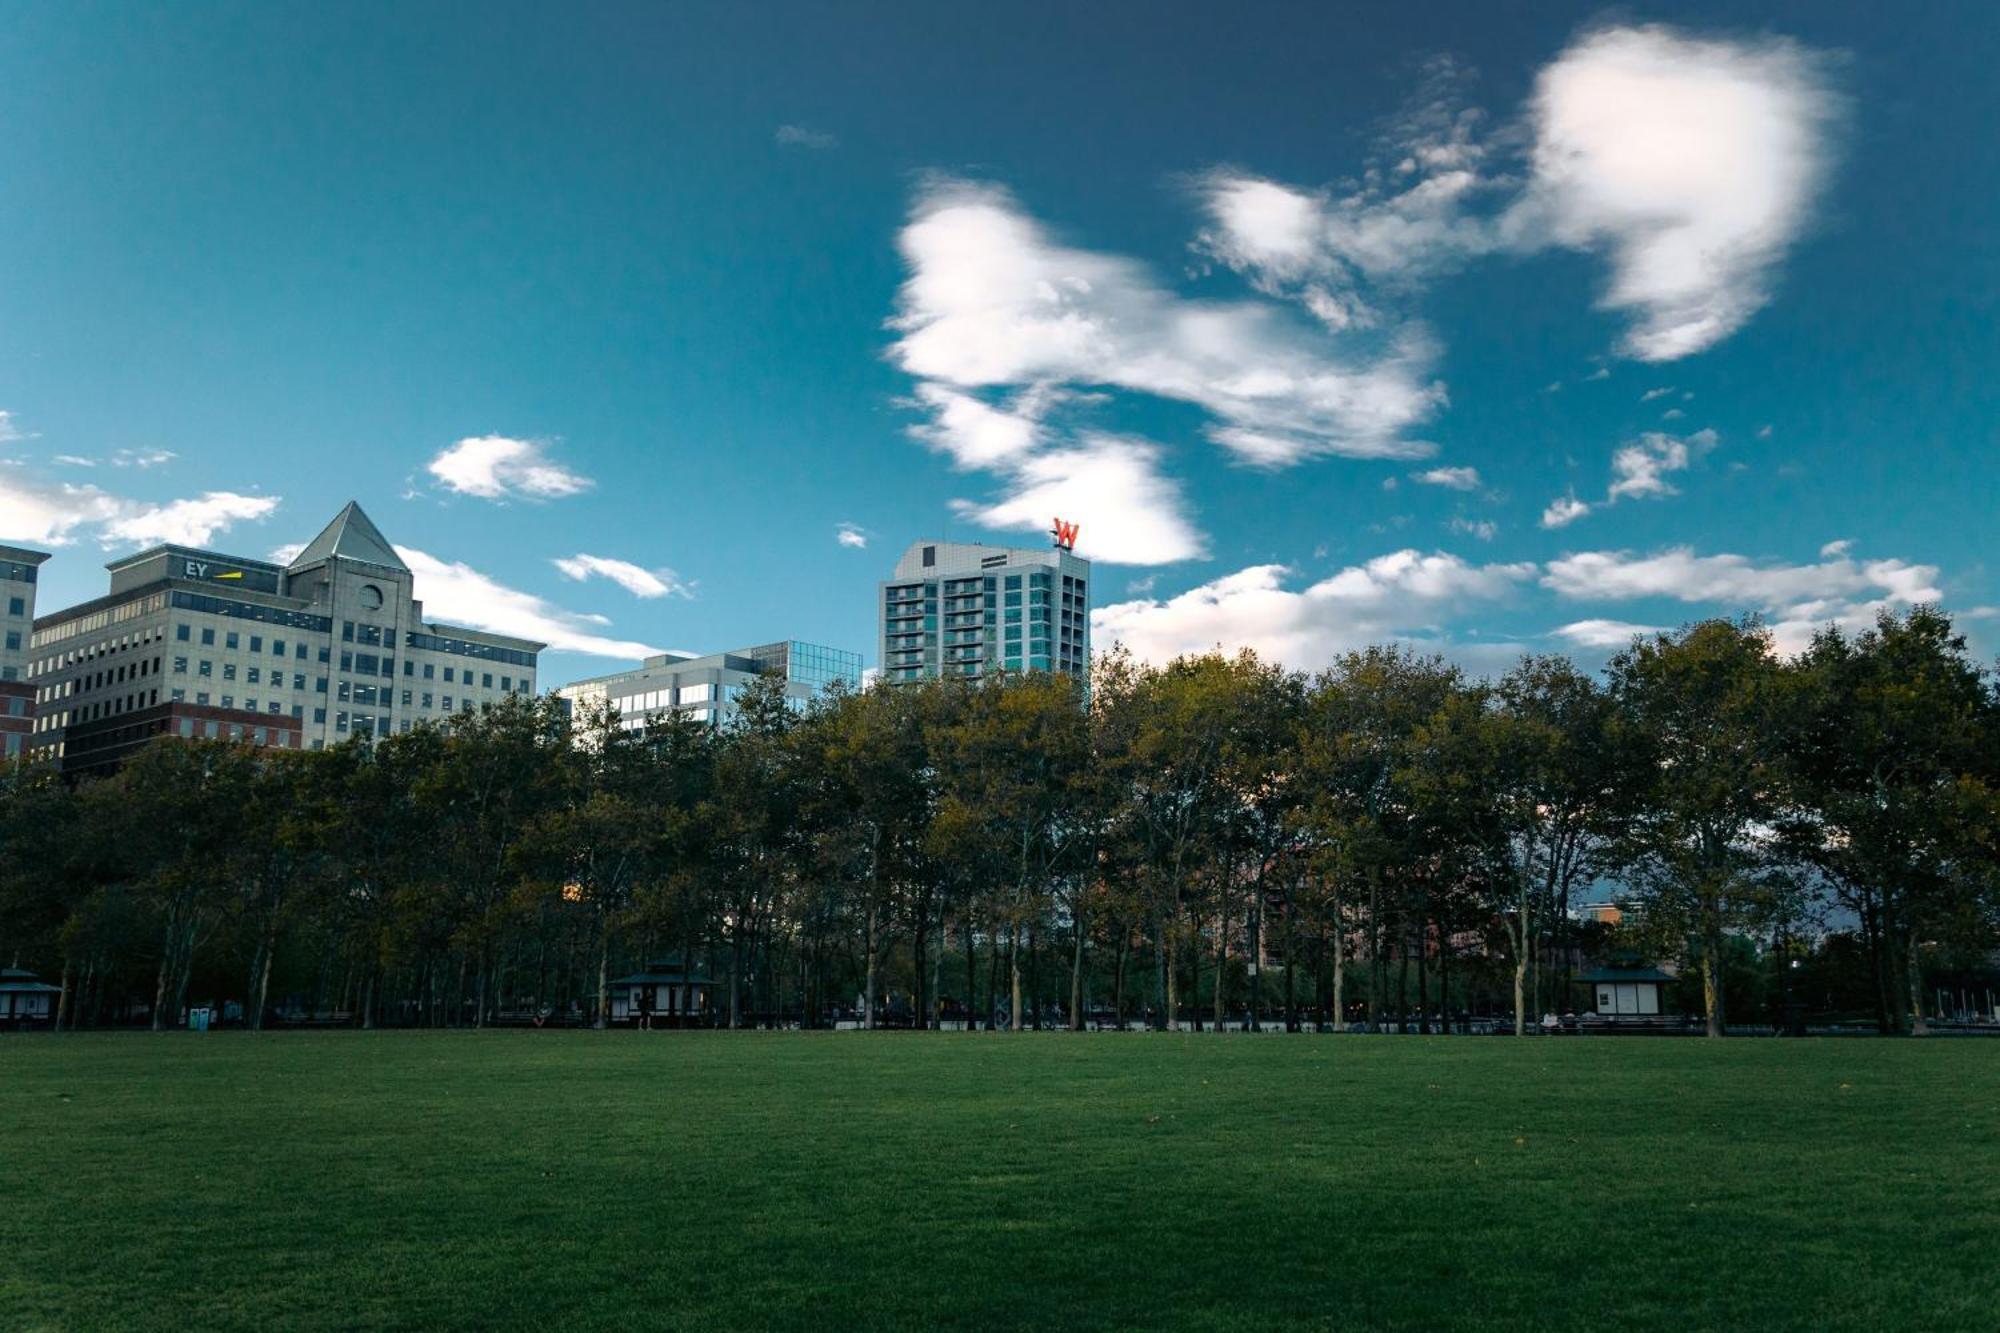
point(301, 655)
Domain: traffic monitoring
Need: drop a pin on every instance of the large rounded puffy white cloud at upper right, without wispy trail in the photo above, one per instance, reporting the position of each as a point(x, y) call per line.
point(1691, 163)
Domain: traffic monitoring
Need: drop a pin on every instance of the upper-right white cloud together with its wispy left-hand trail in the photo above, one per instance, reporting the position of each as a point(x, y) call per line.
point(1689, 163)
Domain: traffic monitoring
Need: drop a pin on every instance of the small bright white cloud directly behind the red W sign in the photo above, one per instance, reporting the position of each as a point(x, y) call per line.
point(1113, 487)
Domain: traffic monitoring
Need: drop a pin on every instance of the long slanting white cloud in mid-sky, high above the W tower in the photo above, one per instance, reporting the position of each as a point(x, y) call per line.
point(995, 303)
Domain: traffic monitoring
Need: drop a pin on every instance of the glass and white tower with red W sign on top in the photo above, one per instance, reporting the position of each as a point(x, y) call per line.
point(969, 609)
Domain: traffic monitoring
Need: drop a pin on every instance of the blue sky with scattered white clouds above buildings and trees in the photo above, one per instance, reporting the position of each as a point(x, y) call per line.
point(1493, 329)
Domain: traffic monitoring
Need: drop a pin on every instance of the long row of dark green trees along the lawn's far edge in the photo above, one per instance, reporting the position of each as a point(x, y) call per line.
point(1219, 838)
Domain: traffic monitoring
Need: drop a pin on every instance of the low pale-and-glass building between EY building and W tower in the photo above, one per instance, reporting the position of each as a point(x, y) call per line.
point(707, 688)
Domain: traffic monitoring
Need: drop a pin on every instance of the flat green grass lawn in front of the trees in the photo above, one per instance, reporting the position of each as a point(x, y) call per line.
point(915, 1182)
